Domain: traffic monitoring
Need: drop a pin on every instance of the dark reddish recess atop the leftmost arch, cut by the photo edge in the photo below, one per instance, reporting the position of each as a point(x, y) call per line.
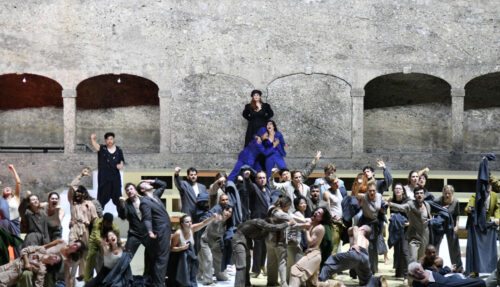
point(38, 91)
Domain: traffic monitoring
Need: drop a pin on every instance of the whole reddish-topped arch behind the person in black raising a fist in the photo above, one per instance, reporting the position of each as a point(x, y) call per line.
point(127, 105)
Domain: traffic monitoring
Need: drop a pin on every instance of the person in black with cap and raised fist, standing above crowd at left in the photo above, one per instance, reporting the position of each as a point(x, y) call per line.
point(109, 163)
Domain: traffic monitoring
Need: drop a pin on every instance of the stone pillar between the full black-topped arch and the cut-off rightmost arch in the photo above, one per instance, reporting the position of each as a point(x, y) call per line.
point(457, 119)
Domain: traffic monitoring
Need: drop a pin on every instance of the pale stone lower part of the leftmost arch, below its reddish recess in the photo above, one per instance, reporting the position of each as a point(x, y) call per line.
point(32, 127)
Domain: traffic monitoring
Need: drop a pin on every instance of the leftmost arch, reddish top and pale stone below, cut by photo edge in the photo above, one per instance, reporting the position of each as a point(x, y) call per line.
point(31, 114)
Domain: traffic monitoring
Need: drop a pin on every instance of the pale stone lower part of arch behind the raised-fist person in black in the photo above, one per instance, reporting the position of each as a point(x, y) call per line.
point(137, 129)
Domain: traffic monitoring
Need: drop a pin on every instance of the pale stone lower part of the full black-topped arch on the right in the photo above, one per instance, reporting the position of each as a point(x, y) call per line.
point(415, 128)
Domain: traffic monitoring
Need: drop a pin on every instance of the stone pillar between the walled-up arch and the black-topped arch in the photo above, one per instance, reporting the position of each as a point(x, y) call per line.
point(358, 97)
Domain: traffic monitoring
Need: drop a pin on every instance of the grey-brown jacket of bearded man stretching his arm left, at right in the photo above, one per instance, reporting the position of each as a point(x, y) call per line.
point(419, 225)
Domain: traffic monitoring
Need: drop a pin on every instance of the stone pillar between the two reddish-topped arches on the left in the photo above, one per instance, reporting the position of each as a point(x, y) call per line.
point(69, 111)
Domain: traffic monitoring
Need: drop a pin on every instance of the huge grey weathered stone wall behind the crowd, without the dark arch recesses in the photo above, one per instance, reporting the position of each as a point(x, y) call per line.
point(312, 59)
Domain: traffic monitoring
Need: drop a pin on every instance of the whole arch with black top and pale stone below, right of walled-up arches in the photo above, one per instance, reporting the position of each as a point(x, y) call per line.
point(407, 113)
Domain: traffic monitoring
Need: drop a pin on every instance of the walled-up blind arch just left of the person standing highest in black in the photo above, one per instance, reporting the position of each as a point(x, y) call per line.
point(206, 115)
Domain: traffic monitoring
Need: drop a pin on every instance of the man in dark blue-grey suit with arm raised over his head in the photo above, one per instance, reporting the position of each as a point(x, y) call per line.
point(157, 221)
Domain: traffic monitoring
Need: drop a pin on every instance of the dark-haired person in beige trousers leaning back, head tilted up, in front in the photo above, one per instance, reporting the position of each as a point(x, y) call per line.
point(307, 268)
